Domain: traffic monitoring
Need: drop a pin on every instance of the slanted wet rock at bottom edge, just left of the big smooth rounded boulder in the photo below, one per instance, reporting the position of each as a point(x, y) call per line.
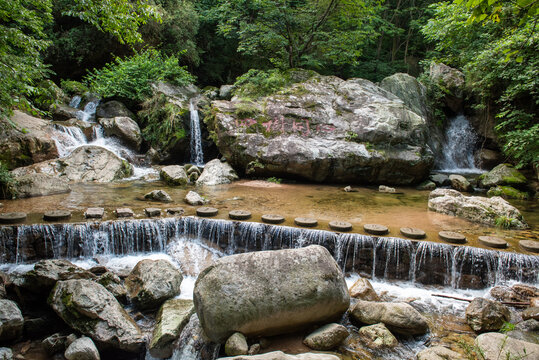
point(173, 316)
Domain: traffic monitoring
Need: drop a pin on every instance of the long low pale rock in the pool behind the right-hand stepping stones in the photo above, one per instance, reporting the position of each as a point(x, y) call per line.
point(476, 208)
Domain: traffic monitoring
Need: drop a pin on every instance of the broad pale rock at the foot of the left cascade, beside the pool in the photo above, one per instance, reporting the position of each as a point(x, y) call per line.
point(84, 164)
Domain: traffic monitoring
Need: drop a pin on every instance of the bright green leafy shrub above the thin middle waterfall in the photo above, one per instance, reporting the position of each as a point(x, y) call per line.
point(132, 77)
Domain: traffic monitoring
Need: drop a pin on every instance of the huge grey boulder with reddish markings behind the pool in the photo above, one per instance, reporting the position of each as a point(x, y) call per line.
point(324, 129)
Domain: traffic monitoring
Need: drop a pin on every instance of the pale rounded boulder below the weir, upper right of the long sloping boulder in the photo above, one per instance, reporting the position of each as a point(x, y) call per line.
point(151, 282)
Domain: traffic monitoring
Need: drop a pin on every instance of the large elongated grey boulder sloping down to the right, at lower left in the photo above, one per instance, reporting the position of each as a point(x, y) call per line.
point(89, 308)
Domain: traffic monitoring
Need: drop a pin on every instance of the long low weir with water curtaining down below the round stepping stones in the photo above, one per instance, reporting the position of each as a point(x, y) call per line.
point(385, 258)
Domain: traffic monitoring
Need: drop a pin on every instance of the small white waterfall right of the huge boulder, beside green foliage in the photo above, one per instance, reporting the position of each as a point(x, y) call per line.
point(458, 150)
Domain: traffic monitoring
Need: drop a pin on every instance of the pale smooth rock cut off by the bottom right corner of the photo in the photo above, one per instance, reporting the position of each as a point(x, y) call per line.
point(495, 346)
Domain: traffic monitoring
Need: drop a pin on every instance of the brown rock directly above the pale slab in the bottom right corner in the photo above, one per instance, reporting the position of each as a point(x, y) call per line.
point(486, 315)
